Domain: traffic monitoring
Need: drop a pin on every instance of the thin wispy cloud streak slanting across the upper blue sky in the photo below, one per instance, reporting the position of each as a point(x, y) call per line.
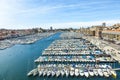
point(48, 8)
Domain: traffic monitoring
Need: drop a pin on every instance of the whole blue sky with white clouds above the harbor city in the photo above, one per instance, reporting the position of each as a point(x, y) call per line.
point(24, 14)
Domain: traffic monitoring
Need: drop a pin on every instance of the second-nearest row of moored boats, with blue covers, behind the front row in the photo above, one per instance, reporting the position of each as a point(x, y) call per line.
point(73, 59)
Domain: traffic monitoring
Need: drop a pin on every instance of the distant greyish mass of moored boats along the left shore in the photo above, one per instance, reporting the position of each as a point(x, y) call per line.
point(28, 39)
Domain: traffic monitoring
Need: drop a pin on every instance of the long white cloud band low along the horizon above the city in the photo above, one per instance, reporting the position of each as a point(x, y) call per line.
point(76, 25)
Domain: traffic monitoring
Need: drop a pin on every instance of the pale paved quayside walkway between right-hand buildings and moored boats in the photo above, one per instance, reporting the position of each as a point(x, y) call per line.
point(110, 48)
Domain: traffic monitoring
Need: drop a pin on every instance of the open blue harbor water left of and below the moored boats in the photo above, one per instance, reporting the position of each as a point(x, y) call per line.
point(17, 61)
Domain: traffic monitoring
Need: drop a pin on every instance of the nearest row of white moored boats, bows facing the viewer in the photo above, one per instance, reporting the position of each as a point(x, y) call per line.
point(73, 70)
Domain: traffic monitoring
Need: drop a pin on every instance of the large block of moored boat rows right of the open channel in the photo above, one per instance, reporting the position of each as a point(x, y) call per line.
point(73, 56)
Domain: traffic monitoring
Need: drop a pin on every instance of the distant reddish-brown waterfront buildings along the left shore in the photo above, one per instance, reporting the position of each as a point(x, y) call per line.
point(10, 33)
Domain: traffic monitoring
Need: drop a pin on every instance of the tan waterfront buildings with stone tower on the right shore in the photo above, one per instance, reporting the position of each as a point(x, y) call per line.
point(111, 33)
